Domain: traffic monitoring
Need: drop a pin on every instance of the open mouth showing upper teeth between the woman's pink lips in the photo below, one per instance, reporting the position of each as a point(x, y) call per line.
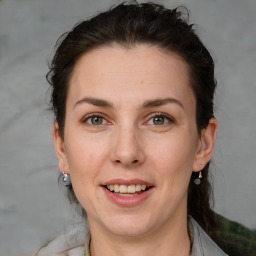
point(127, 190)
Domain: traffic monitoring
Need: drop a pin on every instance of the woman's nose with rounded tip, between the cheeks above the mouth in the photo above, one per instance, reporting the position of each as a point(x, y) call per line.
point(127, 149)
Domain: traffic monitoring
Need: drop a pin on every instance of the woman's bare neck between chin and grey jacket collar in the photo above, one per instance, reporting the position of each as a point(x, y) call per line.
point(170, 240)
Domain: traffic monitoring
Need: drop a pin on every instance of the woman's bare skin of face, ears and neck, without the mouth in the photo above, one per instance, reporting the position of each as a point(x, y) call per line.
point(131, 143)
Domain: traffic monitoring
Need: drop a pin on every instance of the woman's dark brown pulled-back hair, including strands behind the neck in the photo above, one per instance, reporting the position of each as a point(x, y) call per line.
point(128, 25)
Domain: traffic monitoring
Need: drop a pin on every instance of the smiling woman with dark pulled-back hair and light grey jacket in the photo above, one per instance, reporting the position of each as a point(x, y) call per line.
point(132, 93)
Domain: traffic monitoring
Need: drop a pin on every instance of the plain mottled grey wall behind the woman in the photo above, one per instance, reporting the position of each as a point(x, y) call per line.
point(32, 206)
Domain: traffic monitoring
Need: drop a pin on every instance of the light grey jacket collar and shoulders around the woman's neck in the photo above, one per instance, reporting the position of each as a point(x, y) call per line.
point(74, 243)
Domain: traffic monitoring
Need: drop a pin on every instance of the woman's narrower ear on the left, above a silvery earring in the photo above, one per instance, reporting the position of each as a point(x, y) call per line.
point(60, 149)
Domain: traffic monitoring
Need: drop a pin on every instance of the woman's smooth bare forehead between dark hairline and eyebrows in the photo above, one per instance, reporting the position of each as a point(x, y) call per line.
point(117, 73)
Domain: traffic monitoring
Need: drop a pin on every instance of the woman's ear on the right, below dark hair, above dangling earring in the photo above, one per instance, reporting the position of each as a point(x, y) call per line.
point(206, 145)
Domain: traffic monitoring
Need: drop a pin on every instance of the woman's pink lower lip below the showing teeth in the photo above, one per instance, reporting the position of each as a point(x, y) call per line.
point(128, 201)
